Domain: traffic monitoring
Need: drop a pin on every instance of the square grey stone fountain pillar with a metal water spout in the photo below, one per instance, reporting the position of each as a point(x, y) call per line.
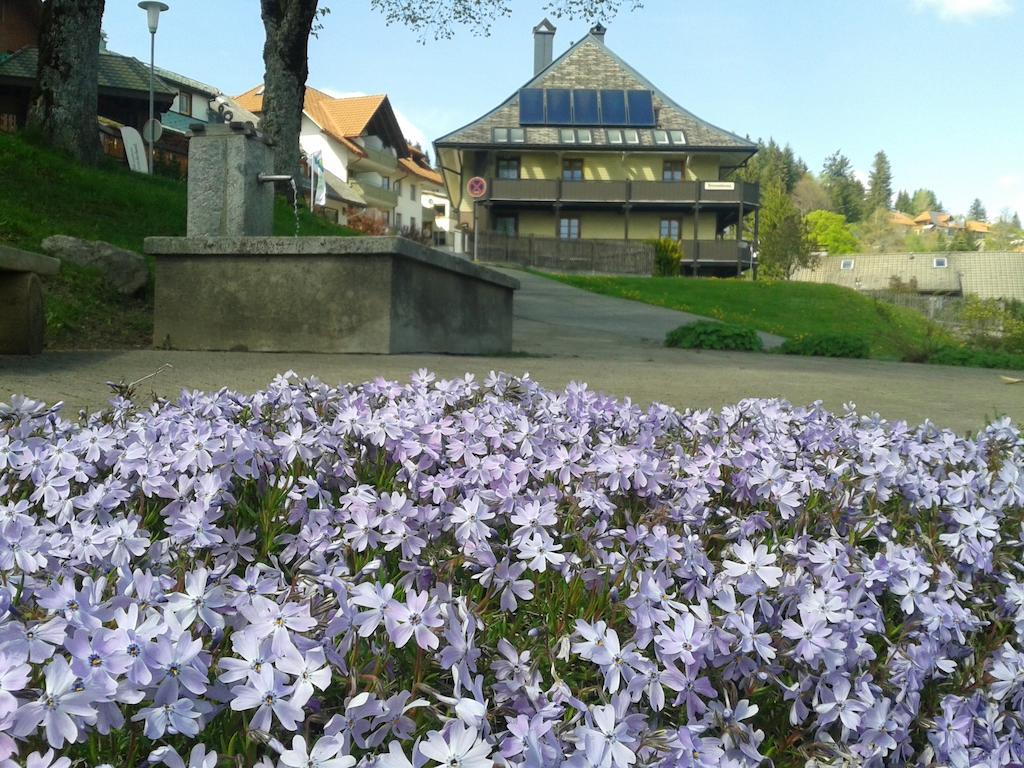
point(227, 198)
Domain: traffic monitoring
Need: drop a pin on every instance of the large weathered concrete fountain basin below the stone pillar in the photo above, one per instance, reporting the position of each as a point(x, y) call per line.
point(381, 295)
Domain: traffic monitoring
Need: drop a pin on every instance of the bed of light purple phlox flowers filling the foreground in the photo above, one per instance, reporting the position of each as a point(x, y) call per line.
point(466, 574)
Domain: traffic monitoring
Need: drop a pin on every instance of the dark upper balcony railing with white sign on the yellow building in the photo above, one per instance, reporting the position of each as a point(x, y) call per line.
point(686, 193)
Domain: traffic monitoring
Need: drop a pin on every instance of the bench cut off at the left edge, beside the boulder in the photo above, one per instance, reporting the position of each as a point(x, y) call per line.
point(22, 316)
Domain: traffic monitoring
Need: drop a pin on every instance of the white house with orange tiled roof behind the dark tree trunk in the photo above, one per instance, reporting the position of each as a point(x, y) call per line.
point(363, 150)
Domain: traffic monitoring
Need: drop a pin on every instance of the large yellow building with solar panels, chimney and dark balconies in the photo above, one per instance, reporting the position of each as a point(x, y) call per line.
point(590, 150)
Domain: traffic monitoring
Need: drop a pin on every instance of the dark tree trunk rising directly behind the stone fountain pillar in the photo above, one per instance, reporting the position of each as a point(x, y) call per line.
point(288, 25)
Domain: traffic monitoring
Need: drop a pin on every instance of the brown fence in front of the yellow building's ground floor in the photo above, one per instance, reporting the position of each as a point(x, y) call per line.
point(596, 257)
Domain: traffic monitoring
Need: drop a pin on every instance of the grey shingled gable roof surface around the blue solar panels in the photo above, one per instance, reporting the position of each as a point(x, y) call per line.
point(590, 64)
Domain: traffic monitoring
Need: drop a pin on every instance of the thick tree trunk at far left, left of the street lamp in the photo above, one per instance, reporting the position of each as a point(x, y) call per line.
point(65, 103)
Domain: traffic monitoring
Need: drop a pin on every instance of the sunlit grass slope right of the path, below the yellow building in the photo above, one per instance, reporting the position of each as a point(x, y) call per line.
point(785, 309)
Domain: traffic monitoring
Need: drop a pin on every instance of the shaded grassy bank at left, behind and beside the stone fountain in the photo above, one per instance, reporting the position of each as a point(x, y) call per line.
point(45, 194)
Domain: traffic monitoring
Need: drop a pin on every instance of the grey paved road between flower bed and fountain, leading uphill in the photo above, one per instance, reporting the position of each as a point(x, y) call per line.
point(569, 336)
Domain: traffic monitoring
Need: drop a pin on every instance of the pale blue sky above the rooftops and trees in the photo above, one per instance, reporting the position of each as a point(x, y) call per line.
point(935, 83)
